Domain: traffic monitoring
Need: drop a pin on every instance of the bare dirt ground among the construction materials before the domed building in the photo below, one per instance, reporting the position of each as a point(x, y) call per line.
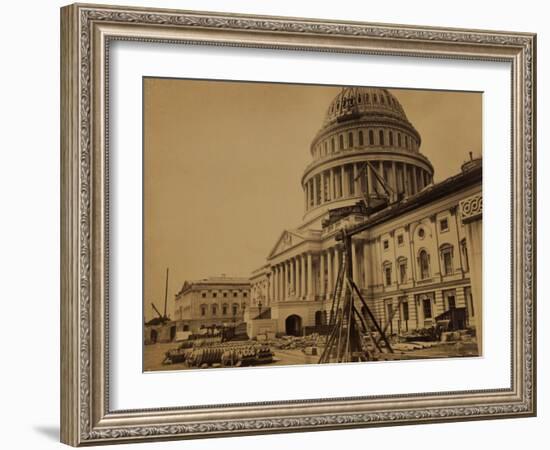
point(154, 355)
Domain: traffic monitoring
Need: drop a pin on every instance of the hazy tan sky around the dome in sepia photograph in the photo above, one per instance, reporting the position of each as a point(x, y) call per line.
point(223, 161)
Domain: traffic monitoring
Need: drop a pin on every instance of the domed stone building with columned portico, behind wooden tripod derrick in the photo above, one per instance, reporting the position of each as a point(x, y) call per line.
point(417, 255)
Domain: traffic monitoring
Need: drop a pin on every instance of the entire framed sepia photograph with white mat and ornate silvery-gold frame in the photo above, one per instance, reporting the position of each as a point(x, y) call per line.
point(276, 225)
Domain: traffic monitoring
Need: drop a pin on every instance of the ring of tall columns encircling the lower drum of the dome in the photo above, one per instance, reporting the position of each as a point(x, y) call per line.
point(342, 182)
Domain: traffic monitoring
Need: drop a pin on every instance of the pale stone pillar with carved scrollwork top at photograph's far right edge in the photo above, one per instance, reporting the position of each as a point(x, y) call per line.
point(471, 211)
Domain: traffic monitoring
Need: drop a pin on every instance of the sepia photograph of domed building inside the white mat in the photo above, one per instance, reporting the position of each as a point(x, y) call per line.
point(292, 224)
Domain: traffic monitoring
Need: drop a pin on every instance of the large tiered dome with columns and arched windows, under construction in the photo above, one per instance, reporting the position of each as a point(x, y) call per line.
point(365, 138)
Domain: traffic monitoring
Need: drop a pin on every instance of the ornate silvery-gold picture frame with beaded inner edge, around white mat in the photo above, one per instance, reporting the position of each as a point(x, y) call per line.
point(86, 31)
